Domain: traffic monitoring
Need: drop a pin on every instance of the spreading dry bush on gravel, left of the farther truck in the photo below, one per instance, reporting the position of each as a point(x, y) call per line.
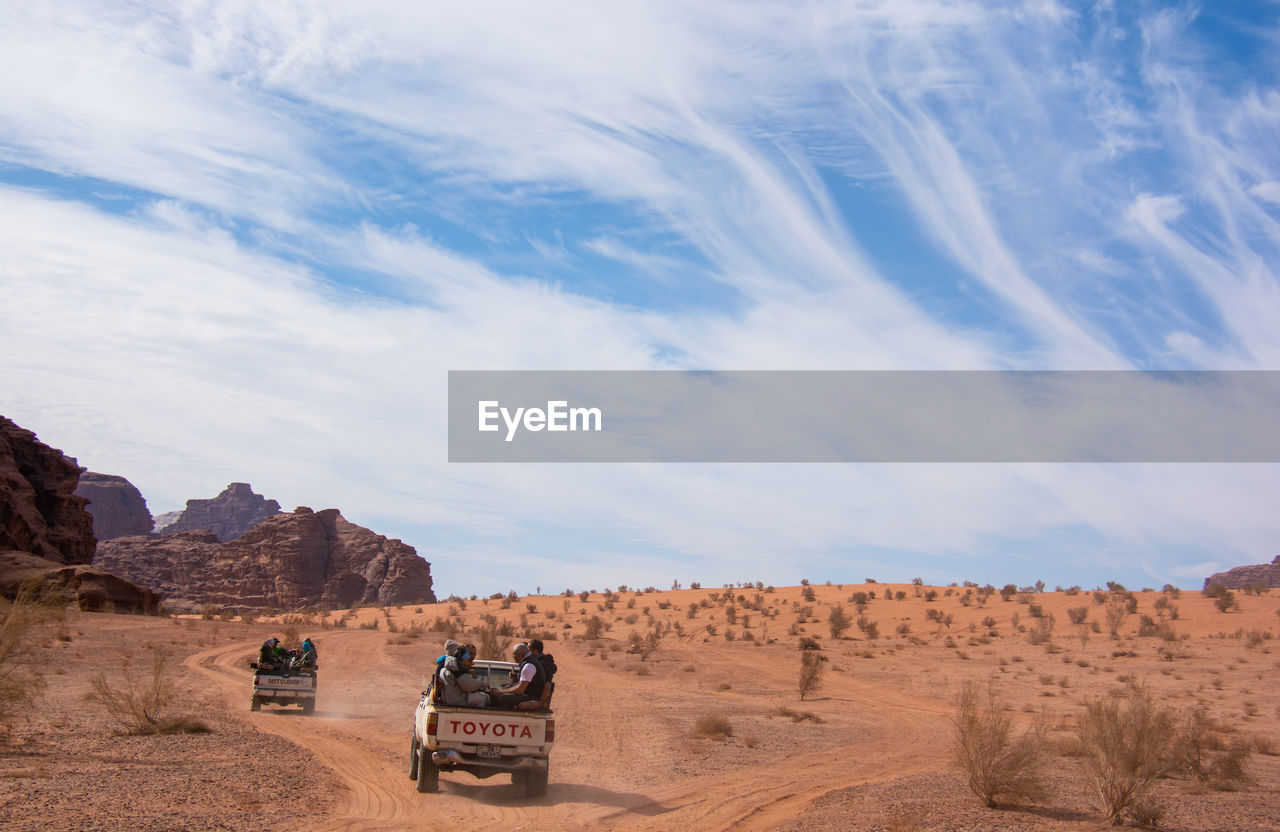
point(139, 705)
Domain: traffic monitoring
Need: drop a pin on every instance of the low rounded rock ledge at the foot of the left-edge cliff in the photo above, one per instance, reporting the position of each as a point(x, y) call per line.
point(86, 587)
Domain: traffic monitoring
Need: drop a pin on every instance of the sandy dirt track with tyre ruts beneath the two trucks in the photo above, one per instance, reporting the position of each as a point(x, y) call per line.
point(623, 758)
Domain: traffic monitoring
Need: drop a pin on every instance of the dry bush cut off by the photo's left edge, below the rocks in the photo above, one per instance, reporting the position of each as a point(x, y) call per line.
point(25, 627)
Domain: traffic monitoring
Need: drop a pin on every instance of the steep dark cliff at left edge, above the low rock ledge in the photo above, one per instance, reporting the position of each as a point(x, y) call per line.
point(40, 513)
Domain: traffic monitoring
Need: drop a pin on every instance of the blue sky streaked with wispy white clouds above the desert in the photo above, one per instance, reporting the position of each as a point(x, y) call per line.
point(246, 243)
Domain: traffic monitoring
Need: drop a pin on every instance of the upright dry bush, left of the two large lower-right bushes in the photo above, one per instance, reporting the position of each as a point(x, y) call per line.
point(999, 765)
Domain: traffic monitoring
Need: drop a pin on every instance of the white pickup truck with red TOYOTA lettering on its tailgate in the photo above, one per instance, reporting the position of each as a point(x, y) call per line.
point(483, 742)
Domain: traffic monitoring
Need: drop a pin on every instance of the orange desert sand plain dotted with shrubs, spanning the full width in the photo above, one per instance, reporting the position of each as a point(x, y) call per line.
point(870, 751)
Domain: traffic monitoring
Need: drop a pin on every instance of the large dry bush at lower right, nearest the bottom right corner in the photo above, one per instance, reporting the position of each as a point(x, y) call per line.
point(1127, 744)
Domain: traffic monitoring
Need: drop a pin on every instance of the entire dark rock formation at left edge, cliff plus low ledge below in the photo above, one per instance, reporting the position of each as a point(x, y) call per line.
point(47, 536)
